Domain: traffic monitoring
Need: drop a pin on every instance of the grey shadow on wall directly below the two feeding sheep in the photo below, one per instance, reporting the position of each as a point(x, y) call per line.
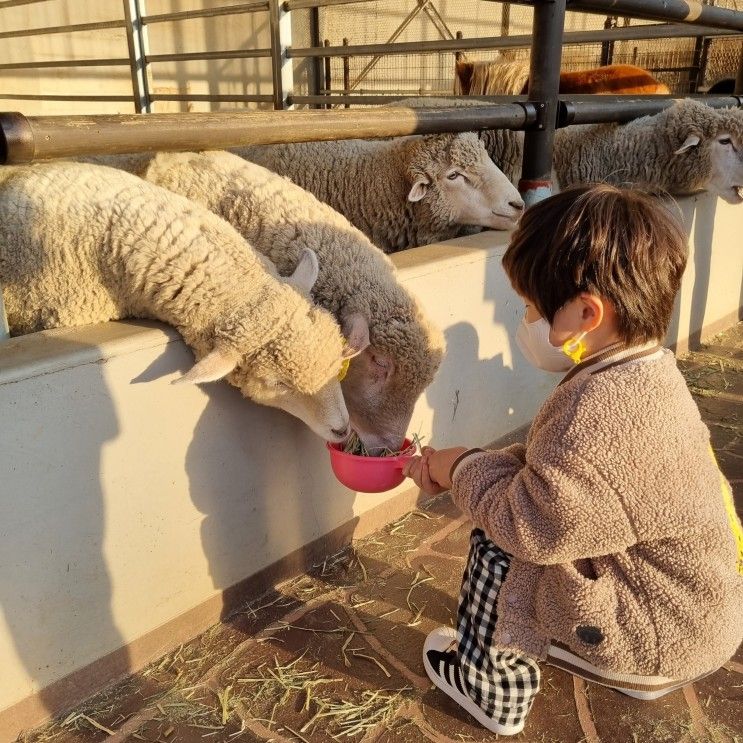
point(269, 505)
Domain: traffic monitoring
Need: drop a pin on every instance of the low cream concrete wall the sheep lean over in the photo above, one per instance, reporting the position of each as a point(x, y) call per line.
point(131, 509)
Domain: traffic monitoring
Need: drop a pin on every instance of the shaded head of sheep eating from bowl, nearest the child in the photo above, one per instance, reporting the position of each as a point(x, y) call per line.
point(384, 382)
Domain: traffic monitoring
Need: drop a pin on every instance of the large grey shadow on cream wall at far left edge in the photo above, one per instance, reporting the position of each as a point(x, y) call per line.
point(41, 568)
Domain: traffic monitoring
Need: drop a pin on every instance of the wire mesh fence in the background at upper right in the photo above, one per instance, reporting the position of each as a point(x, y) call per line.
point(685, 65)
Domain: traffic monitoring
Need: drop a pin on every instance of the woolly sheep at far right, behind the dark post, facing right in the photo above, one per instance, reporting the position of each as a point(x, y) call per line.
point(688, 147)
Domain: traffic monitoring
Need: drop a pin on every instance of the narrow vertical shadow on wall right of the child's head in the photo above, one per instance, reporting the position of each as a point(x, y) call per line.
point(699, 222)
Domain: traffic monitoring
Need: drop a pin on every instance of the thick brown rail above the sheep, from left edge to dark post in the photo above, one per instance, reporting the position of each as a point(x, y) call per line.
point(42, 137)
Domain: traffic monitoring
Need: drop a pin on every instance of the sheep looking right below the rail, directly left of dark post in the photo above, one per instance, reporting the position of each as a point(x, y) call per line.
point(403, 192)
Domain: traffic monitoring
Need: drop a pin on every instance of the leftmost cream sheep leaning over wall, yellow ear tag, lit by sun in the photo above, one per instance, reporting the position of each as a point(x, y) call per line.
point(84, 243)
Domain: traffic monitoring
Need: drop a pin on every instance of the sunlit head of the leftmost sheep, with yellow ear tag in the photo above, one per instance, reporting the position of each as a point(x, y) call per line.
point(297, 369)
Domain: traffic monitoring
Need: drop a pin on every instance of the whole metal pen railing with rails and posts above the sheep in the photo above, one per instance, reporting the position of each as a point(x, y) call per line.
point(25, 139)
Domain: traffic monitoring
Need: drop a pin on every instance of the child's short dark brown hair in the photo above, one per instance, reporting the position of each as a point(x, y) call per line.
point(621, 244)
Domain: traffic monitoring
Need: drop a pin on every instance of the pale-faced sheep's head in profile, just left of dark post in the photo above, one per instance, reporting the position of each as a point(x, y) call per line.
point(455, 177)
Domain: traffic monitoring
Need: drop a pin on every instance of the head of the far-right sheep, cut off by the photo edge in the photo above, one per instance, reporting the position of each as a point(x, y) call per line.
point(711, 143)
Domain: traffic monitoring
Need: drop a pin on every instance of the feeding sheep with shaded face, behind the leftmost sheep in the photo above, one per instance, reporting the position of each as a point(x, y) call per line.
point(356, 282)
